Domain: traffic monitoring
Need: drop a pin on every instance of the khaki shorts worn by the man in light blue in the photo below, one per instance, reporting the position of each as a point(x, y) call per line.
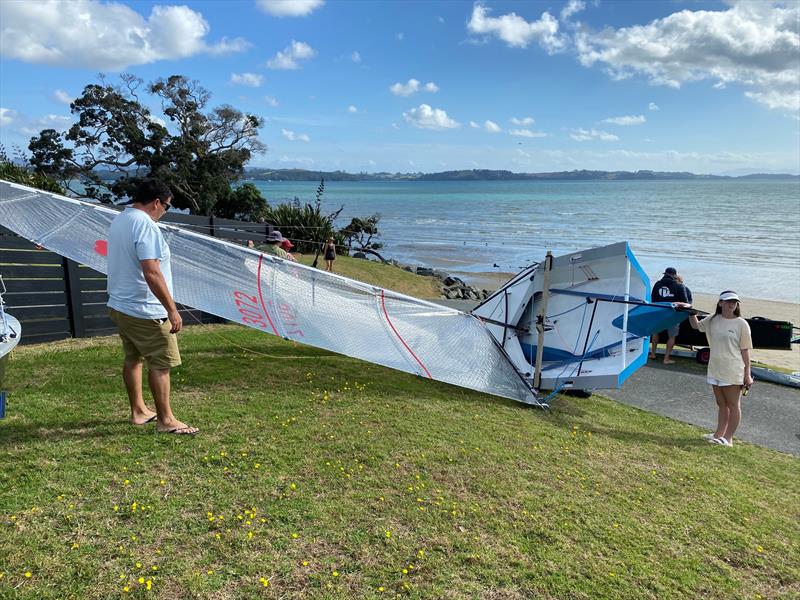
point(147, 339)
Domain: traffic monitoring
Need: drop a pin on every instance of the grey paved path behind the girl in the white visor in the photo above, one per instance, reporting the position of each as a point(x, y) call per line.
point(770, 412)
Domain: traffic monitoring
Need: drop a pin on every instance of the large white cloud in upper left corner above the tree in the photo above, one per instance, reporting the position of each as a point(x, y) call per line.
point(112, 36)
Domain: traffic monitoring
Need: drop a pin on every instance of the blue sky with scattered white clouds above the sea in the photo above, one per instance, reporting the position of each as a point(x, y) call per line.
point(419, 86)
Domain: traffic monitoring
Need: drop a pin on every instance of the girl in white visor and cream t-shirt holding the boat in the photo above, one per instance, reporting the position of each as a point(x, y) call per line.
point(729, 365)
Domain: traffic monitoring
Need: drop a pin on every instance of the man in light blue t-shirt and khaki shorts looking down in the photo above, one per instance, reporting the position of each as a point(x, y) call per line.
point(140, 304)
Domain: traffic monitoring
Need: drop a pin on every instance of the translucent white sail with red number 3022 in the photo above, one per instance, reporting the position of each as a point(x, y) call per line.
point(284, 298)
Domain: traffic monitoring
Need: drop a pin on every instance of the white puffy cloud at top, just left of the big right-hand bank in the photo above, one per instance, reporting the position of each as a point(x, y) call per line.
point(516, 31)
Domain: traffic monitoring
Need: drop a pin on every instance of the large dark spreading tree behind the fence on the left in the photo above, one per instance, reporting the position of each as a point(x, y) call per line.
point(117, 141)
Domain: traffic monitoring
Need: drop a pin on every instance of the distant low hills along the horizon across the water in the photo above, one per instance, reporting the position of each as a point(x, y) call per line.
point(495, 175)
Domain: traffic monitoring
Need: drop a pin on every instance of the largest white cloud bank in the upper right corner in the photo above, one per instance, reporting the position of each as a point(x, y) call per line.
point(752, 44)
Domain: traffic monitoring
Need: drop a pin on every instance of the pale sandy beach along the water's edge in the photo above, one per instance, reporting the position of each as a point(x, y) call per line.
point(751, 307)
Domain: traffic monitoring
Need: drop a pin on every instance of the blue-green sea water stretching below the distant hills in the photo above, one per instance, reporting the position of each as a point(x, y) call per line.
point(741, 235)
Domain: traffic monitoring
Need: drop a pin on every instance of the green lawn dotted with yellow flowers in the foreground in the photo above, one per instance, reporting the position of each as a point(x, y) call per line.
point(332, 478)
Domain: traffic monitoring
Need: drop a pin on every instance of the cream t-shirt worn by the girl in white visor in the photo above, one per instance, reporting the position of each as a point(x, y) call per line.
point(727, 338)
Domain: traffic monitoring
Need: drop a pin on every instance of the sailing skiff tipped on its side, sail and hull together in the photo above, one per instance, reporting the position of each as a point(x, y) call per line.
point(488, 350)
